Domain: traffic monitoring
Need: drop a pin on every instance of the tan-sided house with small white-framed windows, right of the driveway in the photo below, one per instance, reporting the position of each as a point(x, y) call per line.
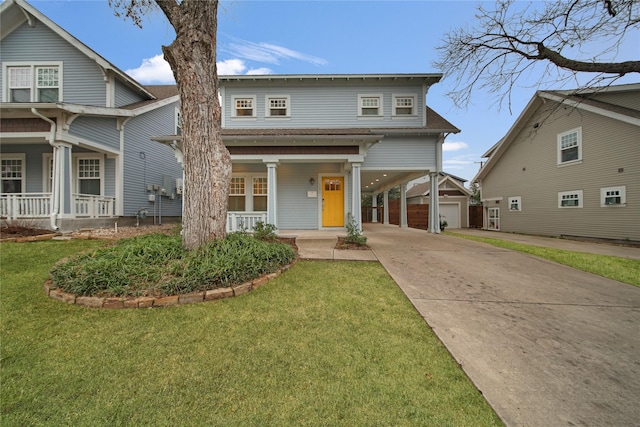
point(569, 166)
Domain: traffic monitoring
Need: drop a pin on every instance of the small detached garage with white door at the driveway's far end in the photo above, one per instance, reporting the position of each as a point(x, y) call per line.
point(453, 199)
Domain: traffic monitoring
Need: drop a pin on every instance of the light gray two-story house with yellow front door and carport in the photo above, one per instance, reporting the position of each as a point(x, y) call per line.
point(305, 148)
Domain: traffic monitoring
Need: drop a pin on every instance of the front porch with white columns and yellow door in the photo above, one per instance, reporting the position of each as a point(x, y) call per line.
point(295, 186)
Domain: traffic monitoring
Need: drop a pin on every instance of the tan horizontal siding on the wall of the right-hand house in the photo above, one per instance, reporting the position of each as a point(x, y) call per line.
point(528, 168)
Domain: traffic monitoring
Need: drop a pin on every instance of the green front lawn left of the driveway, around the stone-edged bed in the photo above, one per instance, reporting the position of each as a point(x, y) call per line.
point(325, 343)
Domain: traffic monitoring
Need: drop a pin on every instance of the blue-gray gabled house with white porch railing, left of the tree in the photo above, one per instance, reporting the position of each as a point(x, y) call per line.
point(75, 147)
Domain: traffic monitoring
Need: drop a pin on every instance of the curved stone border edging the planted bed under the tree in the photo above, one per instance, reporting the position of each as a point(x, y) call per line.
point(168, 301)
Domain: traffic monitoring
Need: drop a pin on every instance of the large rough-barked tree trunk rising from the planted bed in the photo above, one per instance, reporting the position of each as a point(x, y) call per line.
point(207, 163)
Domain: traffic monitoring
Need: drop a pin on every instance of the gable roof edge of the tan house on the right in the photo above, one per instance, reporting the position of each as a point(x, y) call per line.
point(582, 100)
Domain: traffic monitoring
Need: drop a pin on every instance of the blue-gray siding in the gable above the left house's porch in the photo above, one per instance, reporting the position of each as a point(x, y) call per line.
point(83, 82)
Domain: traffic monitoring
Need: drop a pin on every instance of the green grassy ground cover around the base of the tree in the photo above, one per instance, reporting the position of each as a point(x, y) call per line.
point(157, 265)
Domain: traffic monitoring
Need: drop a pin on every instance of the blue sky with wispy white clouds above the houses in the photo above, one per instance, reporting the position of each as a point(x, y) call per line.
point(317, 37)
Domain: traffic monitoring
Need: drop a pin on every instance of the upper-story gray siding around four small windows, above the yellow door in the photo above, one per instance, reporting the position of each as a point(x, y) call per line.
point(321, 105)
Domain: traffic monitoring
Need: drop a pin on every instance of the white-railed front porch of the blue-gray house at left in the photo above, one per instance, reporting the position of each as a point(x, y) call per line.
point(48, 177)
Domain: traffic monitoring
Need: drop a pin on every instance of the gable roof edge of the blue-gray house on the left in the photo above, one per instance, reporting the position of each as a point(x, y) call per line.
point(14, 13)
